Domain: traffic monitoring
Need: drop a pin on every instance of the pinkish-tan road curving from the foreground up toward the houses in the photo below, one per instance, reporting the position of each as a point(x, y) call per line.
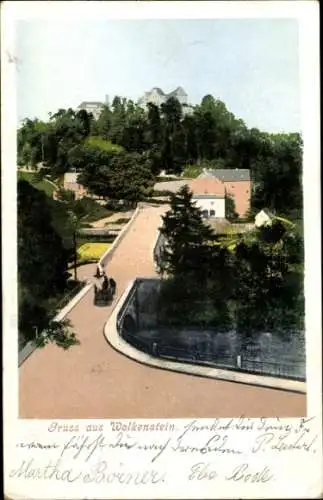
point(92, 380)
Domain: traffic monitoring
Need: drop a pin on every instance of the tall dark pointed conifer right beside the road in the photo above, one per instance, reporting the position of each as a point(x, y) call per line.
point(197, 271)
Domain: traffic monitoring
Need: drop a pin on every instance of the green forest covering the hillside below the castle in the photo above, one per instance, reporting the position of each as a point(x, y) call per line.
point(119, 155)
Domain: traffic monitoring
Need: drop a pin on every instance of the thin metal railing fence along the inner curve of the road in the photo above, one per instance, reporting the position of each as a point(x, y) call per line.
point(129, 323)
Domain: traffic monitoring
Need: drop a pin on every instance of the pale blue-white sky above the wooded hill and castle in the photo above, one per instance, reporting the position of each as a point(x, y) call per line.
point(250, 64)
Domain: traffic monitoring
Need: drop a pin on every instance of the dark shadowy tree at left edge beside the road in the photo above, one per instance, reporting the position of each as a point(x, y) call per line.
point(42, 258)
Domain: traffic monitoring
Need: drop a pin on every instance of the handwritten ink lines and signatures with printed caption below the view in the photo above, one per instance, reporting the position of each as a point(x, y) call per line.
point(139, 453)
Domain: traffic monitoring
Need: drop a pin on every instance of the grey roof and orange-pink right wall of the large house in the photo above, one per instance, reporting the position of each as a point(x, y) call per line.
point(237, 184)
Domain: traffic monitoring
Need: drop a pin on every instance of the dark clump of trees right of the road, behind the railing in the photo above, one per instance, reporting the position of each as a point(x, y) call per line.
point(210, 283)
